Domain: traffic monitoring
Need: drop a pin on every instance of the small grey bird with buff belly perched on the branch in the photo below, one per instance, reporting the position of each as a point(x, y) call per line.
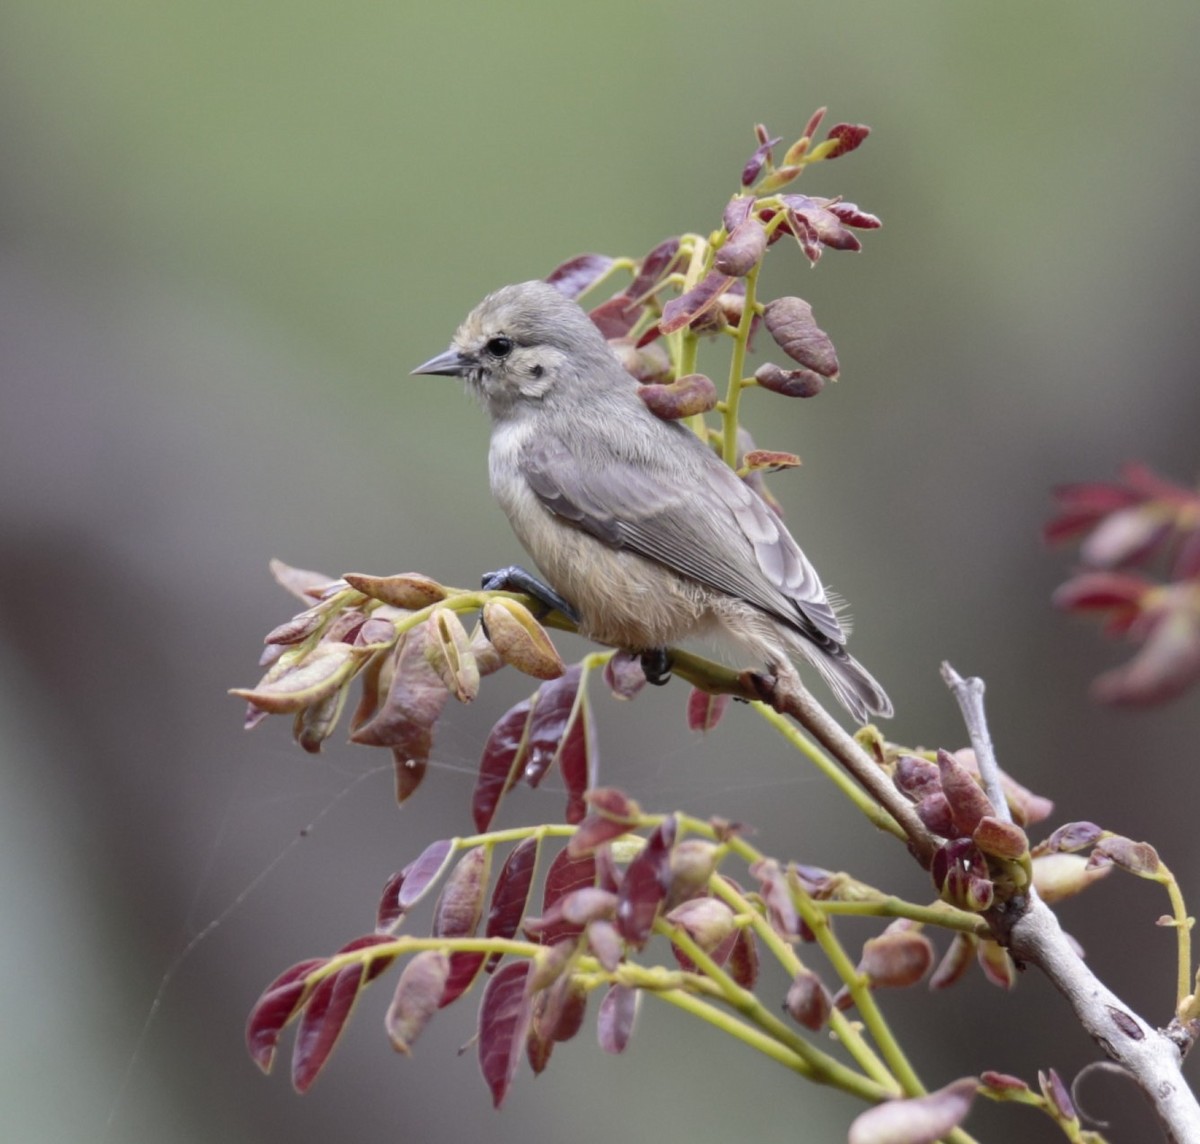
point(633, 520)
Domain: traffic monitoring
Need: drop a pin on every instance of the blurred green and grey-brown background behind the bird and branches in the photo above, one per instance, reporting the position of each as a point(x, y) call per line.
point(229, 231)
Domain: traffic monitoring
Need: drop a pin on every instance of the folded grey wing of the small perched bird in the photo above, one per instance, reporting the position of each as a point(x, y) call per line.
point(705, 524)
